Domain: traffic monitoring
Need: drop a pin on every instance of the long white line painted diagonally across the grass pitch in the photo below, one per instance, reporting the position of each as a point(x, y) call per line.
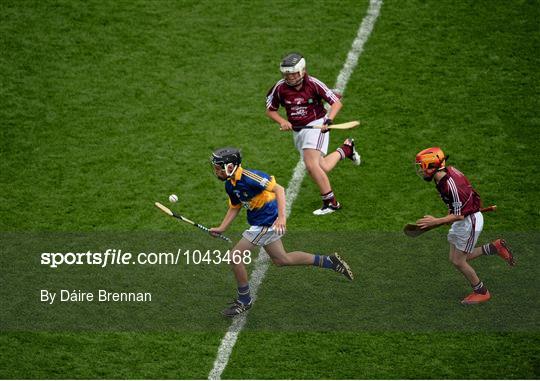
point(263, 262)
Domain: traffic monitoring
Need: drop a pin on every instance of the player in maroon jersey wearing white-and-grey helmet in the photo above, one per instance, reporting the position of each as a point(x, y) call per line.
point(303, 98)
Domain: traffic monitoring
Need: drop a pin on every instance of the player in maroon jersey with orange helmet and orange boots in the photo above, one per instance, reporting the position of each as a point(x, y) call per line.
point(464, 214)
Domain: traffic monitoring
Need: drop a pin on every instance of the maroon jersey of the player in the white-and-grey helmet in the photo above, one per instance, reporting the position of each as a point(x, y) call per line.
point(303, 106)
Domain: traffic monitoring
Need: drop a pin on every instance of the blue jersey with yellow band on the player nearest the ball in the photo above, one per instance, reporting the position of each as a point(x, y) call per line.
point(253, 190)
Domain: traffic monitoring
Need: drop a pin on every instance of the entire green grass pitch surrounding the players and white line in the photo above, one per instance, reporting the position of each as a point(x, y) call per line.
point(107, 107)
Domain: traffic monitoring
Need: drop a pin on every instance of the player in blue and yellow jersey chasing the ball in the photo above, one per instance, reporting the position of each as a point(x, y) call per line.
point(264, 200)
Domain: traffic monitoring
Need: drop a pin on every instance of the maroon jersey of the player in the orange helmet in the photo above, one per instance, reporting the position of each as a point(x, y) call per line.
point(458, 193)
